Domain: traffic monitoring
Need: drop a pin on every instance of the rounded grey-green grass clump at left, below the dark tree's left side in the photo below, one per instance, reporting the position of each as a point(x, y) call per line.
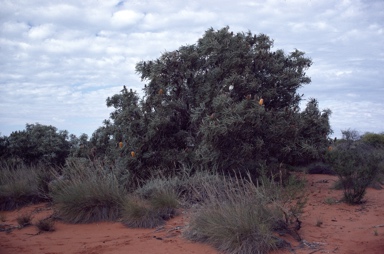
point(92, 196)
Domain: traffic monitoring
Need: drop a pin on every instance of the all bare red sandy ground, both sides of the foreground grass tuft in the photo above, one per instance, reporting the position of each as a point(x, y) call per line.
point(328, 227)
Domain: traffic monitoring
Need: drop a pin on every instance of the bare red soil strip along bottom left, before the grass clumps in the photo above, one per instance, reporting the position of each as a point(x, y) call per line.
point(95, 238)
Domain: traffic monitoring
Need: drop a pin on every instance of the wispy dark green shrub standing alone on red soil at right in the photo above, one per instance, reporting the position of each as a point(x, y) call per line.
point(356, 165)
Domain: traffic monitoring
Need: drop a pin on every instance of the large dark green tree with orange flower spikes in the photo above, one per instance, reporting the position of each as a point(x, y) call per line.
point(202, 106)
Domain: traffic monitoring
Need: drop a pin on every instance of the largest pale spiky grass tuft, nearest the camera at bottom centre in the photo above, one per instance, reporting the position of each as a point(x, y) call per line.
point(242, 217)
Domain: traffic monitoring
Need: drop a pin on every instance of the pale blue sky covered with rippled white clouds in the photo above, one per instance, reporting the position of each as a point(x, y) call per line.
point(60, 60)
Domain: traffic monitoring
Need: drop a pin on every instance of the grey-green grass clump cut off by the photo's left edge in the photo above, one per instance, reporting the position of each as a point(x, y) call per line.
point(18, 187)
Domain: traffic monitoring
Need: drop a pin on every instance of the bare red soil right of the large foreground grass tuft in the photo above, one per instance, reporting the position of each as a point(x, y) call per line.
point(335, 227)
